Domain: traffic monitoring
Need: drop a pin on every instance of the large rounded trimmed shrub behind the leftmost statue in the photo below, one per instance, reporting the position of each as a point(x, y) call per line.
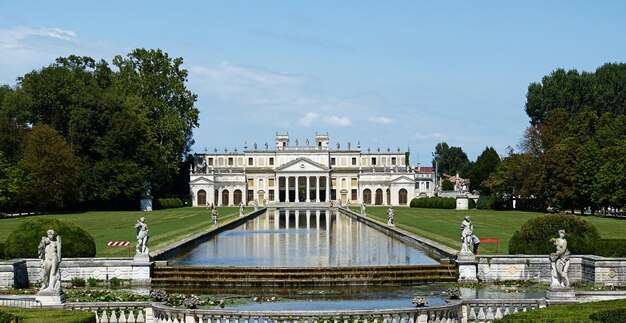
point(23, 241)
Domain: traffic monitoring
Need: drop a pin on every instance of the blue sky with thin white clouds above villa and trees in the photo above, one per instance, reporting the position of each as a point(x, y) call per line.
point(405, 74)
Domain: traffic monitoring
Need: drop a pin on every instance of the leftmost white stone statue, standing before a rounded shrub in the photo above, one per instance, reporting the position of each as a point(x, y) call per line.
point(50, 255)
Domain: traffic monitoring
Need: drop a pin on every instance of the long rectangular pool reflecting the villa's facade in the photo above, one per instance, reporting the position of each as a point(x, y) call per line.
point(302, 238)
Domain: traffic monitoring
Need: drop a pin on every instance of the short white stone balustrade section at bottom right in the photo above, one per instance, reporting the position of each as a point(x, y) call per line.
point(487, 310)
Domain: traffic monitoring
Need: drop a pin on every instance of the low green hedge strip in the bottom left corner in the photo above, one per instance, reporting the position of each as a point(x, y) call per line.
point(37, 315)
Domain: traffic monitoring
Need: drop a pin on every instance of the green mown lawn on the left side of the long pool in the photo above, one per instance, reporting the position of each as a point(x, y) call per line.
point(165, 226)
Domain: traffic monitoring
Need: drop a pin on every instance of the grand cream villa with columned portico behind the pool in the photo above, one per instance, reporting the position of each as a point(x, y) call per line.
point(309, 173)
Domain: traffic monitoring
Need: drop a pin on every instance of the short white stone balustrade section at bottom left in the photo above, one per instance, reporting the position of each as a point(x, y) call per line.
point(116, 312)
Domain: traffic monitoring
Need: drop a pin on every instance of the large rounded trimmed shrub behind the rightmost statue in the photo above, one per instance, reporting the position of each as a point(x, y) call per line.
point(533, 237)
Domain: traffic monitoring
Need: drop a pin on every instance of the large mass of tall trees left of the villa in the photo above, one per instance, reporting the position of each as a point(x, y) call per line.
point(81, 133)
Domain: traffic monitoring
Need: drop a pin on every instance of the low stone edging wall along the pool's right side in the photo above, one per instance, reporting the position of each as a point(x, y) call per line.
point(432, 248)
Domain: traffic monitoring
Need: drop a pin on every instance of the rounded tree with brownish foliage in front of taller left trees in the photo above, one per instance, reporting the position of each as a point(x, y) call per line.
point(51, 174)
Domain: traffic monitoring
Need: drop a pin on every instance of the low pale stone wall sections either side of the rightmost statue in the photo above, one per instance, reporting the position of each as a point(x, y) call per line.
point(587, 269)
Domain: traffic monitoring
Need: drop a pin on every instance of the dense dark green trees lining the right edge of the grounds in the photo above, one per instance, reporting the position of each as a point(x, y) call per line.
point(572, 154)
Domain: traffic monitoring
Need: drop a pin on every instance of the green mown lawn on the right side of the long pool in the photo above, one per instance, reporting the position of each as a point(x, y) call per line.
point(444, 226)
